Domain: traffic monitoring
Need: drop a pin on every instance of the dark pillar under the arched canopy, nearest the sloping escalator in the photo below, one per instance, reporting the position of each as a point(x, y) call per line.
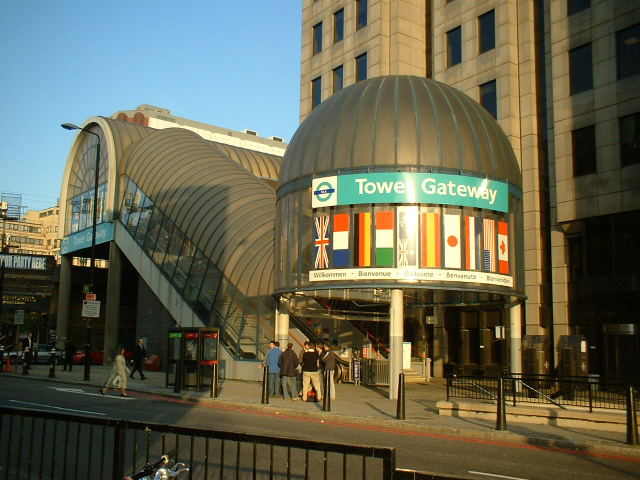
point(112, 311)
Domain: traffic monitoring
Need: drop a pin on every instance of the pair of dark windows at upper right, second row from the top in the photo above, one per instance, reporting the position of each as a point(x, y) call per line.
point(627, 55)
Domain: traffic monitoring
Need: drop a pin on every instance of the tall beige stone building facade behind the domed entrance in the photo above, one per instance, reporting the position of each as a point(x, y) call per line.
point(562, 80)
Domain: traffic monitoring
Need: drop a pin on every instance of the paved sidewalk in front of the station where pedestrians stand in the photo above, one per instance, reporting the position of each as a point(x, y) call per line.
point(366, 406)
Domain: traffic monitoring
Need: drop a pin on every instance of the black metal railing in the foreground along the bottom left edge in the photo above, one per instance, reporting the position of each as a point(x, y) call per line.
point(36, 444)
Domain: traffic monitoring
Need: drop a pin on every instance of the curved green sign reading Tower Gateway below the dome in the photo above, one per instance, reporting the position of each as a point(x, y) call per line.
point(410, 188)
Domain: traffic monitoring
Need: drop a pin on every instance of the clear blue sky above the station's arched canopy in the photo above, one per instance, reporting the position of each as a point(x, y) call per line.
point(231, 63)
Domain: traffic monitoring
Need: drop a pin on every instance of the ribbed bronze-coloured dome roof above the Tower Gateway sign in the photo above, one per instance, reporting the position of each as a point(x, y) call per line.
point(400, 123)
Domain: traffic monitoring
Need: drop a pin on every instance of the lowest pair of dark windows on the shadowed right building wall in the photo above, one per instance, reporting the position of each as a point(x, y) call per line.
point(583, 144)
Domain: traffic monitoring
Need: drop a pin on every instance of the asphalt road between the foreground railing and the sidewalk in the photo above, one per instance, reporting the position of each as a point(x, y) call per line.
point(434, 453)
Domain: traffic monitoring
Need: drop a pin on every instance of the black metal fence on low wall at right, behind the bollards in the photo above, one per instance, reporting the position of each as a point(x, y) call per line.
point(560, 391)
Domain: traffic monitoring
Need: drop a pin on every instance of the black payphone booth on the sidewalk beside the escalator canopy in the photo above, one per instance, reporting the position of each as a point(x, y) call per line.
point(194, 351)
